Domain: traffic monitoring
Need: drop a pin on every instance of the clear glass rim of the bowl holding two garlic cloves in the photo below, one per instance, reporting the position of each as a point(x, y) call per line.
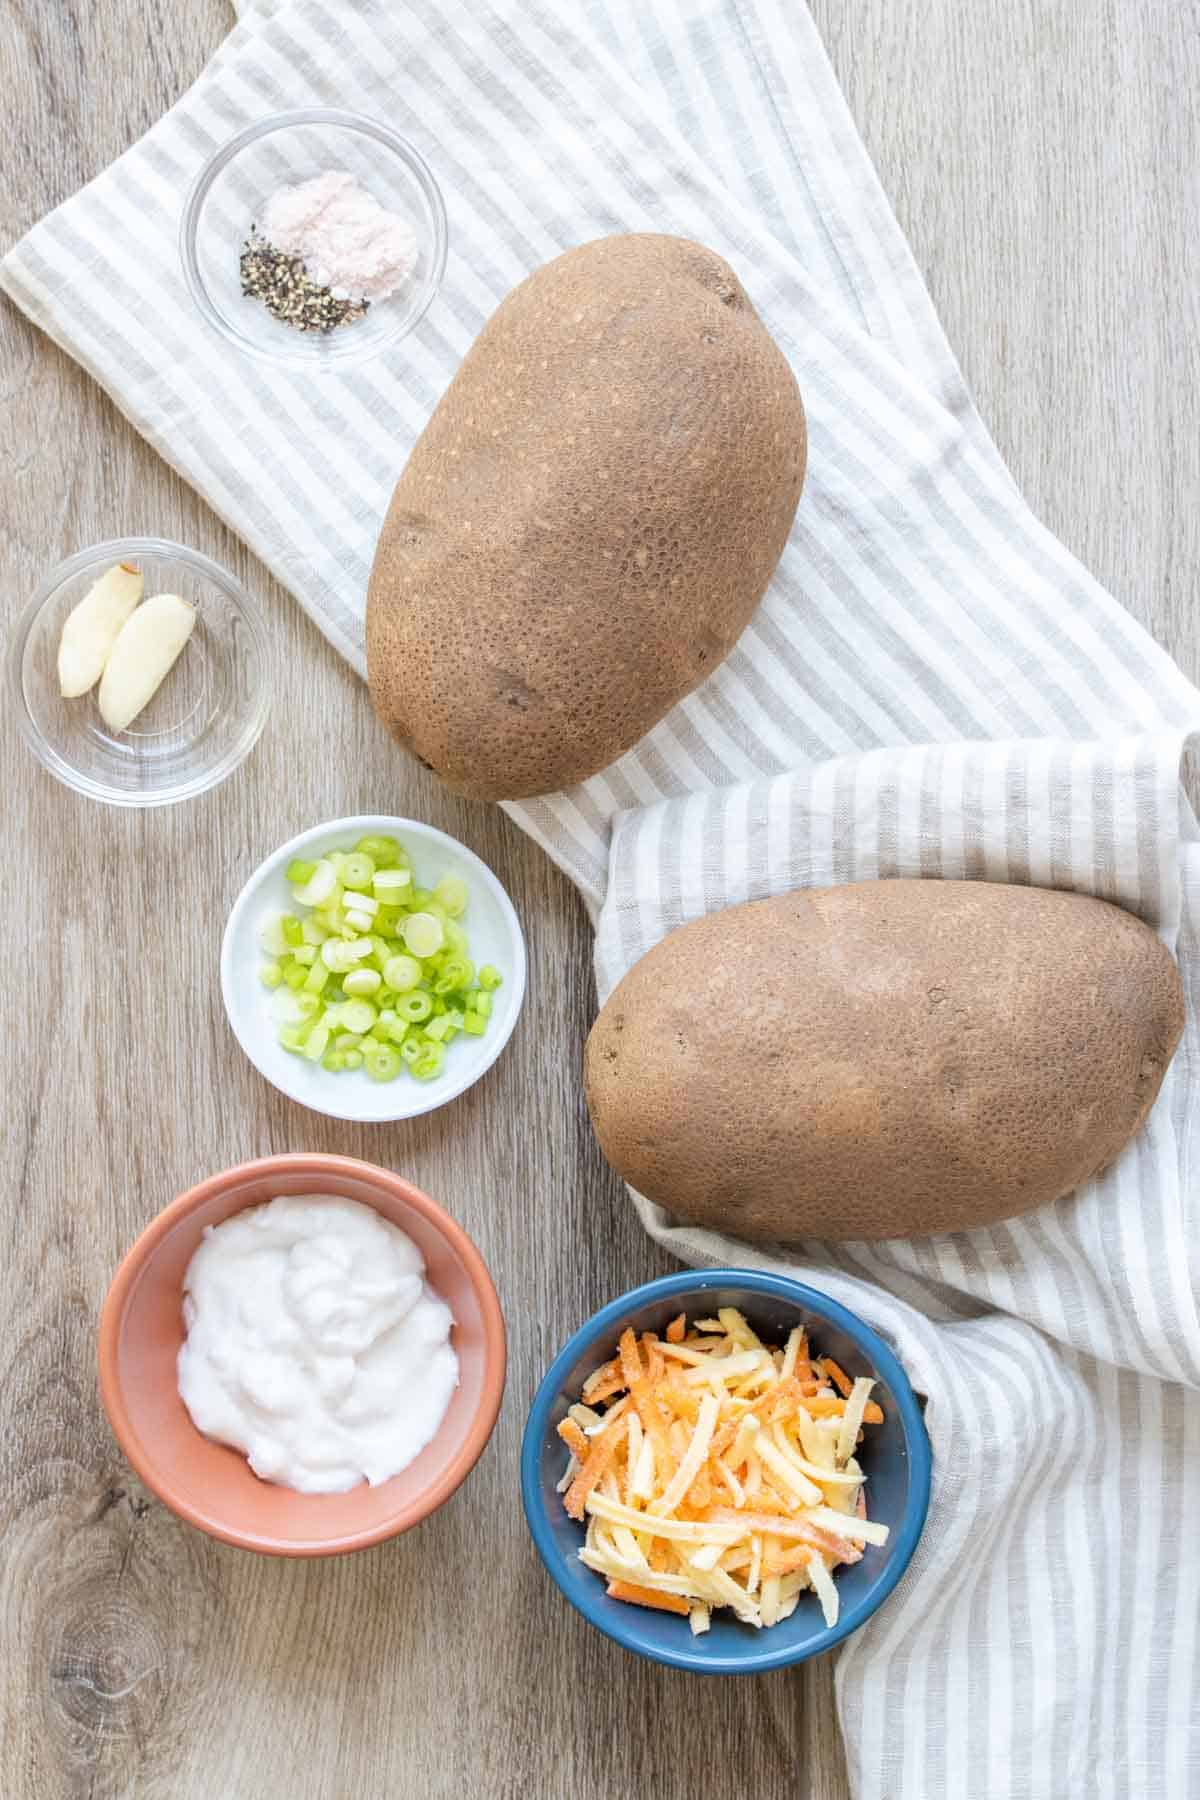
point(116, 550)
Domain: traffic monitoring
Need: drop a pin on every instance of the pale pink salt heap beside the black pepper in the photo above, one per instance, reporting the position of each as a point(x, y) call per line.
point(346, 238)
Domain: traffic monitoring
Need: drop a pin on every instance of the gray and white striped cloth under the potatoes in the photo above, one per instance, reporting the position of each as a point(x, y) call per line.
point(933, 688)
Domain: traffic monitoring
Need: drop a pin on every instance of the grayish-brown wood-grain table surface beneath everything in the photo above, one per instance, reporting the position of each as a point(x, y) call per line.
point(1044, 163)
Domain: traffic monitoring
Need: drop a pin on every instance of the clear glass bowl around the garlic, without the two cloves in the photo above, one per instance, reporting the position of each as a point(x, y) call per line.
point(202, 723)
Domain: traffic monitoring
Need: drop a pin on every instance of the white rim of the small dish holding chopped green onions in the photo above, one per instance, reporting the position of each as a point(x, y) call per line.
point(438, 1095)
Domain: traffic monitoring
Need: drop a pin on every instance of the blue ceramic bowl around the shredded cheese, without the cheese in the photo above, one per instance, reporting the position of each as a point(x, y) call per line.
point(895, 1455)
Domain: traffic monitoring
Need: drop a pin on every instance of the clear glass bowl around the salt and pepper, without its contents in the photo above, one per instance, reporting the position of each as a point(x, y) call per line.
point(229, 197)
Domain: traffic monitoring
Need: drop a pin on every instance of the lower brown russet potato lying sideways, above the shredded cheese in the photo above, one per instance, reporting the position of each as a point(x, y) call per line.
point(884, 1059)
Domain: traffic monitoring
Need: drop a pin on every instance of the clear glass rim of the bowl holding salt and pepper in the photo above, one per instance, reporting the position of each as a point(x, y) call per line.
point(348, 354)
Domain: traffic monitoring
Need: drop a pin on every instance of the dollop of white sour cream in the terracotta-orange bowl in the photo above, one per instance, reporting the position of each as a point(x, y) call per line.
point(316, 1344)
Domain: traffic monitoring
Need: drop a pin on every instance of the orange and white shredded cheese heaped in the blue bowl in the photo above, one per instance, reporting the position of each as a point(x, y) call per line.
point(715, 1471)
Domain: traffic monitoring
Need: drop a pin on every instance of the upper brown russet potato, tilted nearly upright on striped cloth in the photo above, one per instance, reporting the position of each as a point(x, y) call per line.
point(589, 519)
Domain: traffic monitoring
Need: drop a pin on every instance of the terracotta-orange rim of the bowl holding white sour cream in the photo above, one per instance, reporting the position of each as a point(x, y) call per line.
point(318, 1164)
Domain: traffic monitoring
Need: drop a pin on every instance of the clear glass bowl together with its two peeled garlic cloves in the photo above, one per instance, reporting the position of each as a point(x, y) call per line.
point(139, 672)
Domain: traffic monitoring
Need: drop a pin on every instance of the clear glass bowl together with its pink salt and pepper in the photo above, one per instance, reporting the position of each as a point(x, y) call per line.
point(314, 238)
